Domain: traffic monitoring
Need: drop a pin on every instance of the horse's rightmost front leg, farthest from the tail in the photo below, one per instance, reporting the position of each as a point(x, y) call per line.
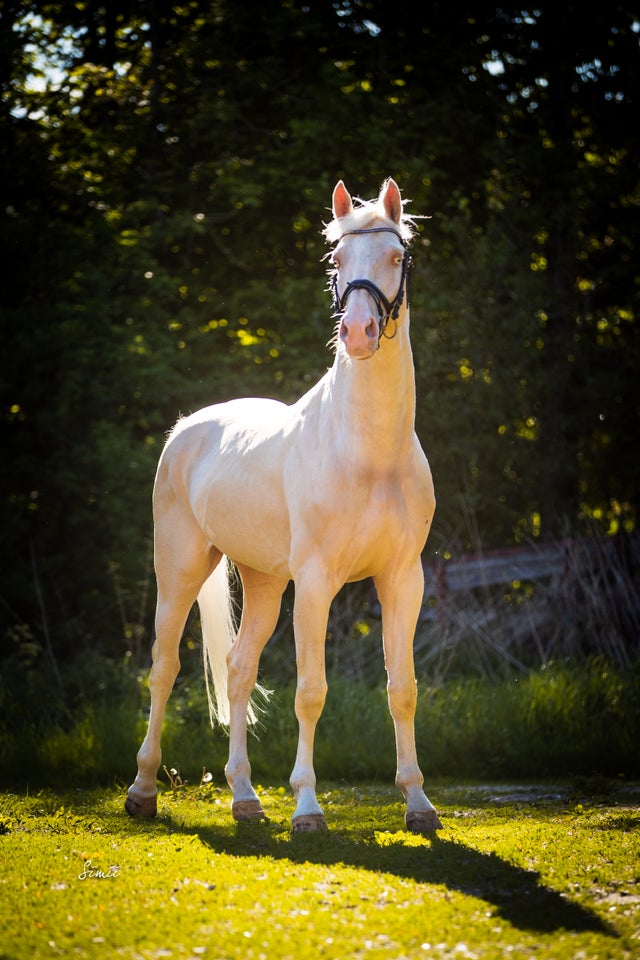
point(401, 598)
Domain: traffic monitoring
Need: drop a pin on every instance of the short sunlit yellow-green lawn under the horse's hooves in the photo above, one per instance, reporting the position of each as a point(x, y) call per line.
point(514, 873)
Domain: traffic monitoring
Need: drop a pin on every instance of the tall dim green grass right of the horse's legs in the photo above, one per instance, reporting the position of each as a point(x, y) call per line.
point(557, 721)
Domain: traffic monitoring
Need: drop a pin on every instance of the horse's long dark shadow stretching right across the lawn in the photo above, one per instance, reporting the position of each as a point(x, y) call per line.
point(515, 894)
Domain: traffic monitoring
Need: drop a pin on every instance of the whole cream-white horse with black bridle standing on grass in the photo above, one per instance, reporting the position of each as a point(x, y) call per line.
point(331, 489)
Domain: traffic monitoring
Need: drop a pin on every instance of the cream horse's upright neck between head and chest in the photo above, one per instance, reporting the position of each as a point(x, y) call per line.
point(375, 400)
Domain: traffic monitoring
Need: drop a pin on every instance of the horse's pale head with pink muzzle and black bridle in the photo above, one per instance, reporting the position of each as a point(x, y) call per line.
point(371, 265)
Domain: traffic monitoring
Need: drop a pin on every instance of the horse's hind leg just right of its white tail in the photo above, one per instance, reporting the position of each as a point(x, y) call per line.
point(260, 608)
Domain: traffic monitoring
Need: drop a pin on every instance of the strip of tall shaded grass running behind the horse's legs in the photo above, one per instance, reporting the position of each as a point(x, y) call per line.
point(553, 722)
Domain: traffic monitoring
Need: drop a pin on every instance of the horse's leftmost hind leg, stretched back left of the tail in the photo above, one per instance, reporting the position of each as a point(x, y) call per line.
point(184, 559)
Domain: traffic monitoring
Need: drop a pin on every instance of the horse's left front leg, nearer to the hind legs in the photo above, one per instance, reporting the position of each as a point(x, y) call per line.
point(311, 612)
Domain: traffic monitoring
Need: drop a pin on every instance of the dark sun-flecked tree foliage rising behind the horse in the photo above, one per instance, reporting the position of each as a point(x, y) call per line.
point(163, 173)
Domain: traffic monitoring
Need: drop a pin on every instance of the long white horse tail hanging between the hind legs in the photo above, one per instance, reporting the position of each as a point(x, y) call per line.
point(218, 634)
